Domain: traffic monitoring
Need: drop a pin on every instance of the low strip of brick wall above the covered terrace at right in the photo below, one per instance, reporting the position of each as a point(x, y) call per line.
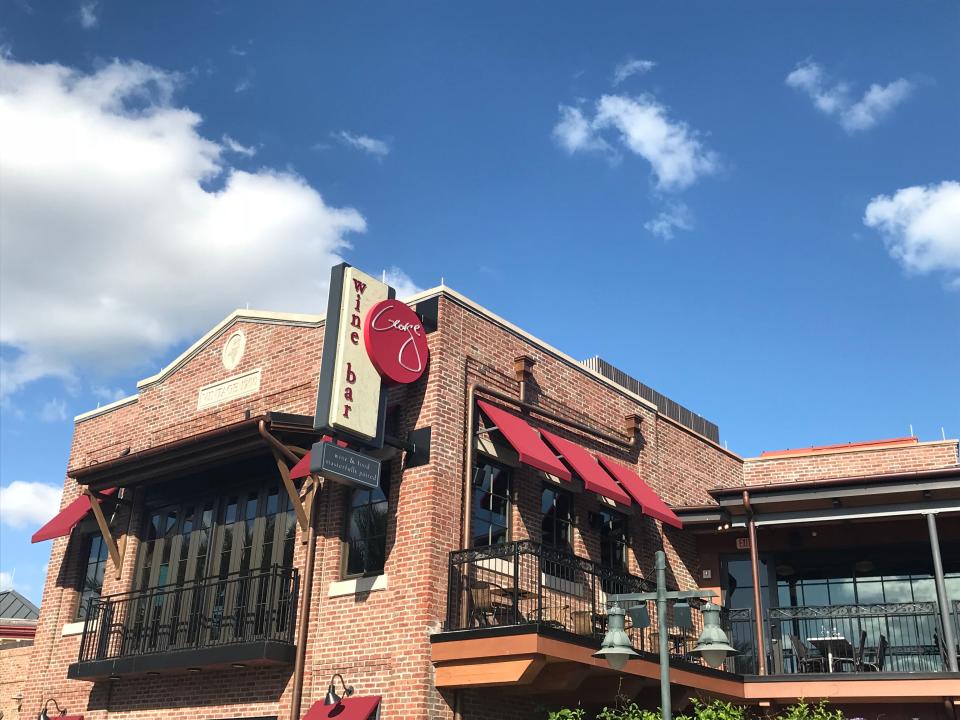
point(856, 462)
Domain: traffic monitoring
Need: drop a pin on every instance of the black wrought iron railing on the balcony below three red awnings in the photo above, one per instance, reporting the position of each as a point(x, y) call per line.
point(524, 583)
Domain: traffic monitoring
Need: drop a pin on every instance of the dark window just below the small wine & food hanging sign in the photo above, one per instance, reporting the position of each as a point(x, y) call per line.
point(366, 541)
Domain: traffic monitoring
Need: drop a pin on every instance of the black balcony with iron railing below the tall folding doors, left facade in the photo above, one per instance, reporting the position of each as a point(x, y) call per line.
point(236, 621)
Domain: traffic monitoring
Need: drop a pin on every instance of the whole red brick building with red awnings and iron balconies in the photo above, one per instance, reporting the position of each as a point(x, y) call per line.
point(229, 585)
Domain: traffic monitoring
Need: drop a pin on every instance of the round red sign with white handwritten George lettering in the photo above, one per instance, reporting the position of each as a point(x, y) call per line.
point(396, 342)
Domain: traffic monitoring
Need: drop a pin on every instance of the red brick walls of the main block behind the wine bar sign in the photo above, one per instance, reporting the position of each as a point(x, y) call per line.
point(380, 640)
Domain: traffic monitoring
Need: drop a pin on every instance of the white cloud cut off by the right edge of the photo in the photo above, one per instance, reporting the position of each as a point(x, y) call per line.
point(921, 227)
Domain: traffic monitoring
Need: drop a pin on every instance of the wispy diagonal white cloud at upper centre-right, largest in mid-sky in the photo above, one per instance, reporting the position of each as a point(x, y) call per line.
point(642, 126)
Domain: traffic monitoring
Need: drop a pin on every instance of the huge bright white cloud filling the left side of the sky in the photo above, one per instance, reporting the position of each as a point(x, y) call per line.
point(124, 231)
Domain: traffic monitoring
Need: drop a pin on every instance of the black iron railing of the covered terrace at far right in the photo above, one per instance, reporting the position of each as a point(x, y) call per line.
point(910, 633)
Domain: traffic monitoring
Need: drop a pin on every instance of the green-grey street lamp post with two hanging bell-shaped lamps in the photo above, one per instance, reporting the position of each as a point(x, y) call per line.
point(616, 648)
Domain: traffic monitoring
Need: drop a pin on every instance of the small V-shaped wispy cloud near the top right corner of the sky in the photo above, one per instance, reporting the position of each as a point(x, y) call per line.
point(833, 98)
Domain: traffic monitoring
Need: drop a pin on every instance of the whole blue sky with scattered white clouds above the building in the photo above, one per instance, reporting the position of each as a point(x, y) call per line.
point(750, 207)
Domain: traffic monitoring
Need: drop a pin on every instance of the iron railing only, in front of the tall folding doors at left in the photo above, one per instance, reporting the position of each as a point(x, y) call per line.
point(238, 608)
